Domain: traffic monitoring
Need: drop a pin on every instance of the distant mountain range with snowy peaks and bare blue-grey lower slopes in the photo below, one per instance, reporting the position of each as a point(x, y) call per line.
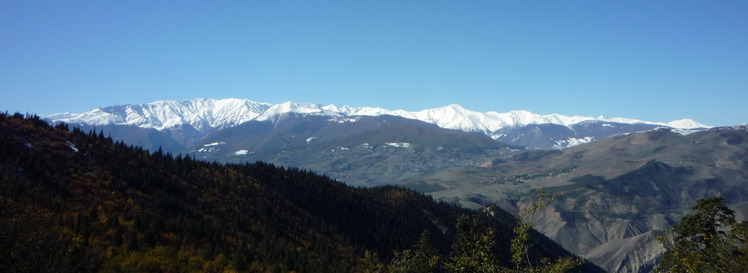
point(187, 122)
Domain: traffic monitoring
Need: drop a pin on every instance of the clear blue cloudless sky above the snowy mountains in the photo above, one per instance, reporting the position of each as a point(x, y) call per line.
point(650, 60)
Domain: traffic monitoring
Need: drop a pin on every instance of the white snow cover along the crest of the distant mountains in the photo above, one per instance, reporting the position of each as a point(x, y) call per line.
point(208, 114)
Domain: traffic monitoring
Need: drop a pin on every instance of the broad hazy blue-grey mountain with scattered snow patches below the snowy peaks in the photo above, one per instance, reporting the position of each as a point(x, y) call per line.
point(361, 151)
